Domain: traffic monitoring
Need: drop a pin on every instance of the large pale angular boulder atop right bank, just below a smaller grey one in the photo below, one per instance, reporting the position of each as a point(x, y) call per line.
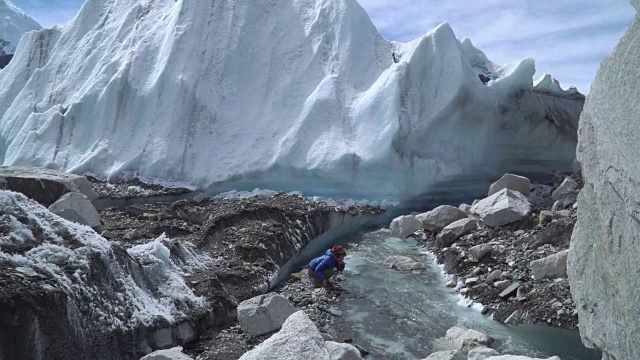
point(502, 208)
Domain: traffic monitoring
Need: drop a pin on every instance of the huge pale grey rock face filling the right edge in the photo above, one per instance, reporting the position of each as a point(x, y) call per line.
point(603, 264)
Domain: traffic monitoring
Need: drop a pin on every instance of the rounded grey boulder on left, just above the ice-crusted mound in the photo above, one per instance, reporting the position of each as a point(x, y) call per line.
point(76, 207)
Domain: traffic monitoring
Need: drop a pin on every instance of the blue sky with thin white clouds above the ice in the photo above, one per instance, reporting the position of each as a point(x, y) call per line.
point(567, 38)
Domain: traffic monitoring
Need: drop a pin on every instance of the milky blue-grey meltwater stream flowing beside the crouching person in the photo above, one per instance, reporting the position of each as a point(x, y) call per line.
point(396, 315)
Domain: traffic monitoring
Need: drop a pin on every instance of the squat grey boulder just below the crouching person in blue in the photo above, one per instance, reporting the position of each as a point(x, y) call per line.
point(263, 314)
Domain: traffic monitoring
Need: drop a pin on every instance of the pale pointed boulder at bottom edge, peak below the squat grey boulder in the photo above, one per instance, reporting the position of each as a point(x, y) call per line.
point(299, 338)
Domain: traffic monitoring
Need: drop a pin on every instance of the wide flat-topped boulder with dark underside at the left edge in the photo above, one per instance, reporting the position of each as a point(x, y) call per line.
point(44, 185)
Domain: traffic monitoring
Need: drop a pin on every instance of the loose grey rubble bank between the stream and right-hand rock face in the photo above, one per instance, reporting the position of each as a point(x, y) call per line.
point(508, 252)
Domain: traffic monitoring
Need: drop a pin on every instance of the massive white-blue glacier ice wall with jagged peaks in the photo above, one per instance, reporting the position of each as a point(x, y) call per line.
point(288, 95)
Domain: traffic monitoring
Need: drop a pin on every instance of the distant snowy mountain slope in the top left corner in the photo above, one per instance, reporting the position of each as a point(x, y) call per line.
point(13, 24)
